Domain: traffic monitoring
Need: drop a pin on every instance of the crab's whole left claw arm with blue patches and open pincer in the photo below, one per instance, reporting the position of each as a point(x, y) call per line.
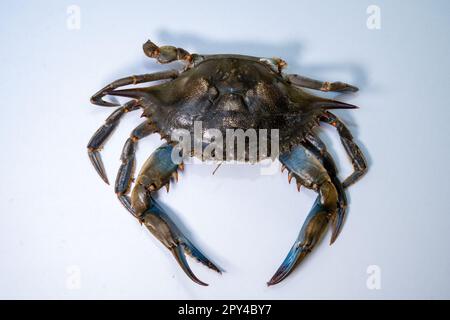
point(156, 173)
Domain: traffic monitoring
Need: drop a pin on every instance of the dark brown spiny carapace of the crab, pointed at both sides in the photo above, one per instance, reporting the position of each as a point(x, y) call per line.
point(226, 92)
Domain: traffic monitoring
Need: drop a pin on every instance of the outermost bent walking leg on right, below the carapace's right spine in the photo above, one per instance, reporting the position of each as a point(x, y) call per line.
point(354, 152)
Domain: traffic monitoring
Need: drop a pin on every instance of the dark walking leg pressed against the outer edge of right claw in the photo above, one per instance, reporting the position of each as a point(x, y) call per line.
point(319, 149)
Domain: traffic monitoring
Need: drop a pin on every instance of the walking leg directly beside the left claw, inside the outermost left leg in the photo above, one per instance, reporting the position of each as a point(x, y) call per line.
point(125, 174)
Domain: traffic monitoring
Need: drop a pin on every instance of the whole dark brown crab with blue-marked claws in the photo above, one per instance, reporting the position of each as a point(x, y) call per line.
point(228, 91)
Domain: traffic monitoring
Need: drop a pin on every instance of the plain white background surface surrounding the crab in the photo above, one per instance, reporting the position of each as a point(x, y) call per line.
point(63, 234)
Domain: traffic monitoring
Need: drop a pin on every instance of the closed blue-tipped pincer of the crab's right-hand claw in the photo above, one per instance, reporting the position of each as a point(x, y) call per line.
point(315, 225)
